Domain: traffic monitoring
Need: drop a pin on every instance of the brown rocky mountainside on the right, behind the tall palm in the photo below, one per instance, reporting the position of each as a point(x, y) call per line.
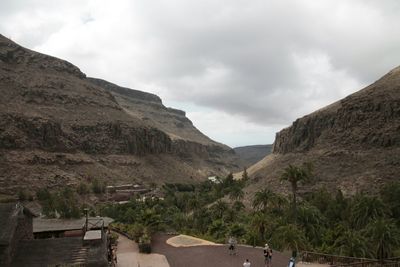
point(354, 144)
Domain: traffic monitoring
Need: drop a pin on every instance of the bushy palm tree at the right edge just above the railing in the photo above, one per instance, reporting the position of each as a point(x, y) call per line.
point(384, 237)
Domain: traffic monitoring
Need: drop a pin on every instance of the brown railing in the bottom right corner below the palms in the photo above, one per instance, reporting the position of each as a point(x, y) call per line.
point(342, 261)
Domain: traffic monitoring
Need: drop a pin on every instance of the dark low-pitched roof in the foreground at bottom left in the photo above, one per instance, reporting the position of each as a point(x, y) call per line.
point(59, 251)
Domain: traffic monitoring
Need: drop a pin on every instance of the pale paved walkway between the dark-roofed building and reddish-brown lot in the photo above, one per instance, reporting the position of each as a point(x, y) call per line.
point(128, 255)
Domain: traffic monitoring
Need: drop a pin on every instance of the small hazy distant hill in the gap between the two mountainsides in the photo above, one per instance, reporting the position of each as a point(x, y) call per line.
point(250, 155)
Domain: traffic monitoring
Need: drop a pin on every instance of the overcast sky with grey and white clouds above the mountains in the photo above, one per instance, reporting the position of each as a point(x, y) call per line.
point(242, 70)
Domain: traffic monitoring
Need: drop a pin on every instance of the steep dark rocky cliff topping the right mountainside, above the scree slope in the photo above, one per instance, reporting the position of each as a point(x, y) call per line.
point(367, 119)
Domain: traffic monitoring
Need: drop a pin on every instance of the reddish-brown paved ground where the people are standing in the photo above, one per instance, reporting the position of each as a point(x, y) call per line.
point(212, 256)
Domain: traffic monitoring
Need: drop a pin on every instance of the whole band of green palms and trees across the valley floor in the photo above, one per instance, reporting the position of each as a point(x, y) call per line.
point(360, 226)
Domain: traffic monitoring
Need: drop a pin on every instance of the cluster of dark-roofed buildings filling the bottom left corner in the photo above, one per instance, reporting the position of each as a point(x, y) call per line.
point(19, 248)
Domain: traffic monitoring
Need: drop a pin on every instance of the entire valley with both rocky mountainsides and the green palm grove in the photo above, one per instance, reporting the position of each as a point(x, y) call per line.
point(72, 145)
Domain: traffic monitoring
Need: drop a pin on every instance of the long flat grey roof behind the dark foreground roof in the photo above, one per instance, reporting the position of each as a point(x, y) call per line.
point(54, 225)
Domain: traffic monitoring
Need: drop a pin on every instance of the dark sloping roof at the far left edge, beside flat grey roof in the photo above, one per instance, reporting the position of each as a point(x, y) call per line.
point(8, 221)
